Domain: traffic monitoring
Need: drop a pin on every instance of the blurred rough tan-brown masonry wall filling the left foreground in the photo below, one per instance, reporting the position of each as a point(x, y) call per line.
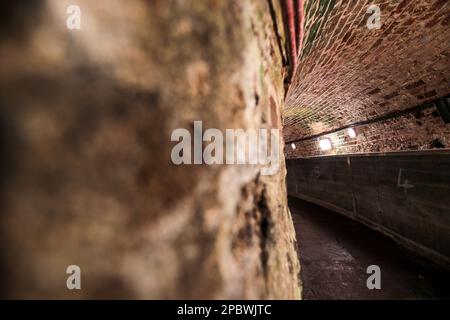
point(86, 119)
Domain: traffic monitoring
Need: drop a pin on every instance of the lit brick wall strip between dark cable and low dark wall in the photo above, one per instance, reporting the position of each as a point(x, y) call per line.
point(422, 130)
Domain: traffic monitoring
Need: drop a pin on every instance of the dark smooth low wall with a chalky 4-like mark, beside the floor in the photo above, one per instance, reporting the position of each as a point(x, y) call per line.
point(403, 195)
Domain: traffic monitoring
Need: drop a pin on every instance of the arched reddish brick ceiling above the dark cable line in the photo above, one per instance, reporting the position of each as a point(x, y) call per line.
point(348, 73)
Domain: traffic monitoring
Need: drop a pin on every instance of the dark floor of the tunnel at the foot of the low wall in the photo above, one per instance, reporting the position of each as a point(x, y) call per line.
point(336, 251)
